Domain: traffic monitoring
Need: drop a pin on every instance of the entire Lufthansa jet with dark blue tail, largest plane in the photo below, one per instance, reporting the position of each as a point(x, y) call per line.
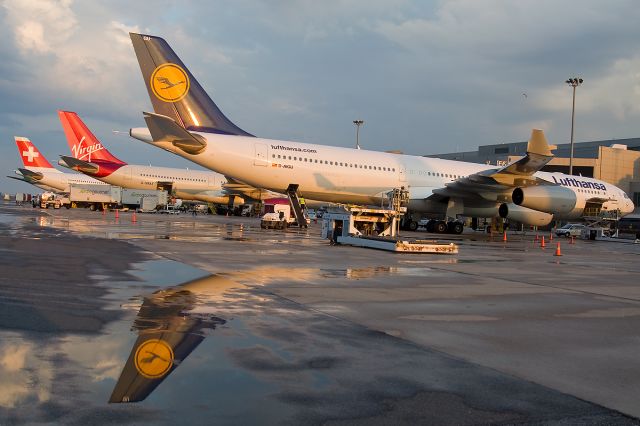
point(188, 123)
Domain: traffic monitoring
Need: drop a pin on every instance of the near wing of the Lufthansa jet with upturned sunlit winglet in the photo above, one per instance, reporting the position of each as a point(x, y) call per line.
point(494, 183)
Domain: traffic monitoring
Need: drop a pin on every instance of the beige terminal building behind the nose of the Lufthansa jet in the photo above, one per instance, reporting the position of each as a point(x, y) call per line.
point(615, 161)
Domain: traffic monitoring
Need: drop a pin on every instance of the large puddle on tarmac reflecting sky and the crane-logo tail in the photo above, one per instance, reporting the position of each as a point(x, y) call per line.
point(189, 345)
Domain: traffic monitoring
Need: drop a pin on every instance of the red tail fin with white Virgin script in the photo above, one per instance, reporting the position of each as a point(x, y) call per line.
point(82, 143)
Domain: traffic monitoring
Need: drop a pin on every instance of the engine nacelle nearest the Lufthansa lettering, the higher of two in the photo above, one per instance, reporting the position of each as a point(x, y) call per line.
point(545, 198)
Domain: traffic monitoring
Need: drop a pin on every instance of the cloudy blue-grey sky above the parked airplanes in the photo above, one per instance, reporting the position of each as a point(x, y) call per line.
point(427, 77)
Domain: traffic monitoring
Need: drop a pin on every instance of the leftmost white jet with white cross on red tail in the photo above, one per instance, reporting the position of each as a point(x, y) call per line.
point(39, 172)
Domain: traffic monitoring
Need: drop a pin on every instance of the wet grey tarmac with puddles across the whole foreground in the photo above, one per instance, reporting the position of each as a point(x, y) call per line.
point(211, 320)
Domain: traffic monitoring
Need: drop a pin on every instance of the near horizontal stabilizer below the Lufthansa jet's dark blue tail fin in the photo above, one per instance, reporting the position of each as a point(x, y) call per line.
point(165, 129)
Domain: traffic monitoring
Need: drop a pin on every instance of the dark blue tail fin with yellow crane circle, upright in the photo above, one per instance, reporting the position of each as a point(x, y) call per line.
point(173, 90)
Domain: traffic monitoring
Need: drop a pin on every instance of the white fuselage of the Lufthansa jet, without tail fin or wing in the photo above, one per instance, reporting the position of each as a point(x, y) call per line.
point(346, 175)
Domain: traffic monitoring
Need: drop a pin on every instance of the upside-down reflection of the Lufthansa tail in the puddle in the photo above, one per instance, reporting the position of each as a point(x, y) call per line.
point(171, 323)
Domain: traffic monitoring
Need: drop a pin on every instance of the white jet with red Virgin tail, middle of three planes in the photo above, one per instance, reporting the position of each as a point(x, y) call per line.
point(90, 157)
